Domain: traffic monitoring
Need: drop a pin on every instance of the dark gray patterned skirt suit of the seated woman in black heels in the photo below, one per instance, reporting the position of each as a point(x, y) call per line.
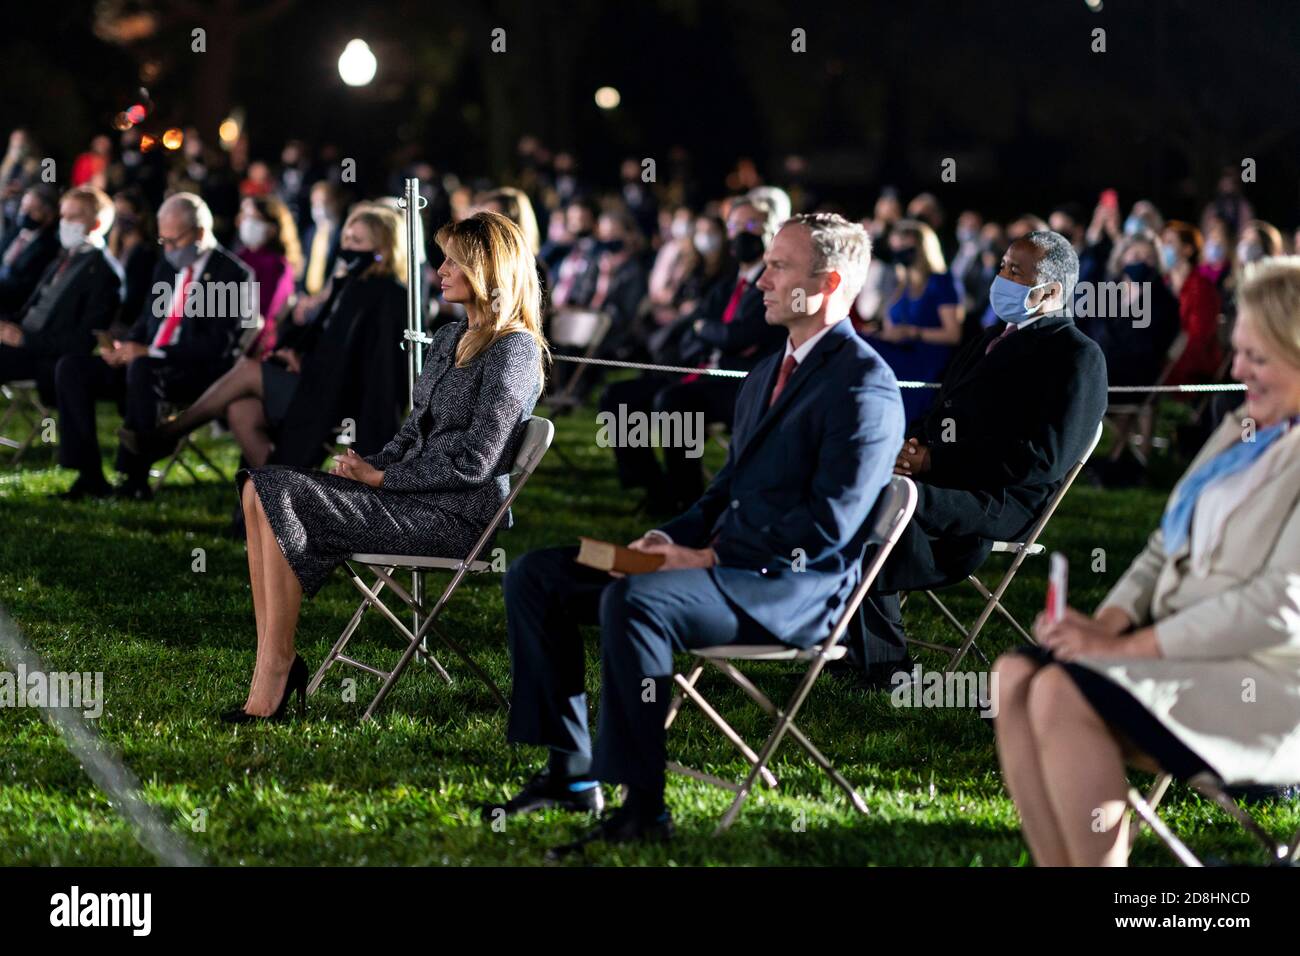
point(445, 473)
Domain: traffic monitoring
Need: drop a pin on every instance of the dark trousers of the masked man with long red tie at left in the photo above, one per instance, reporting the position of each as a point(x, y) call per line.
point(83, 380)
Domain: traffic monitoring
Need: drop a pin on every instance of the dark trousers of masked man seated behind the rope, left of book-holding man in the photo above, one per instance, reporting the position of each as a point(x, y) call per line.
point(682, 479)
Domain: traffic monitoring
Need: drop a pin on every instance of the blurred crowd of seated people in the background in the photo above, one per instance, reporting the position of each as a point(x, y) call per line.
point(651, 266)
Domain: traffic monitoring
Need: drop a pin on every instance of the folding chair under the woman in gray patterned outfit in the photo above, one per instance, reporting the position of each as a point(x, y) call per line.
point(534, 445)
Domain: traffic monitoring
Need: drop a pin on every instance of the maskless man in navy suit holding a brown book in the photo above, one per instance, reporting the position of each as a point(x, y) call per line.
point(769, 553)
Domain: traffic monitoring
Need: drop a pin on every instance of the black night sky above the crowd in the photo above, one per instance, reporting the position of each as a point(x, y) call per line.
point(885, 93)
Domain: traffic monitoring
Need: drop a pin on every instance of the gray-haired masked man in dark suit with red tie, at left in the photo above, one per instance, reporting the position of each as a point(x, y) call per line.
point(201, 299)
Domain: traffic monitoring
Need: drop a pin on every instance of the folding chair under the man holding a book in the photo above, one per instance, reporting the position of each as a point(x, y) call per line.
point(889, 518)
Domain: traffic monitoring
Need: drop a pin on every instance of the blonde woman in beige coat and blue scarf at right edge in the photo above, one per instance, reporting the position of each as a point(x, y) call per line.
point(1193, 661)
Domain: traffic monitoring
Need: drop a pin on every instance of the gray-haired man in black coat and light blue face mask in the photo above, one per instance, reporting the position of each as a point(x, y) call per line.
point(1019, 408)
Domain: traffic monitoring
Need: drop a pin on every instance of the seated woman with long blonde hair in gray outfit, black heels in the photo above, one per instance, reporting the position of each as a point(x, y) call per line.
point(435, 487)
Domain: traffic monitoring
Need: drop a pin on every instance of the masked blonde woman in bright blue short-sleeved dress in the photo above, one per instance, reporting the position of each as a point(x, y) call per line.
point(924, 325)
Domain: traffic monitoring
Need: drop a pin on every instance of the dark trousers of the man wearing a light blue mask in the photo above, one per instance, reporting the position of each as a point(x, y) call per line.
point(948, 538)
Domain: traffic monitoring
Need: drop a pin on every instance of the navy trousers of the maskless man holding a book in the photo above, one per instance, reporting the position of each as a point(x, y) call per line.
point(644, 621)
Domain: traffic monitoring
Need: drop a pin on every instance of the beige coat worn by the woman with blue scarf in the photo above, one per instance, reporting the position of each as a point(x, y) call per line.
point(1228, 685)
